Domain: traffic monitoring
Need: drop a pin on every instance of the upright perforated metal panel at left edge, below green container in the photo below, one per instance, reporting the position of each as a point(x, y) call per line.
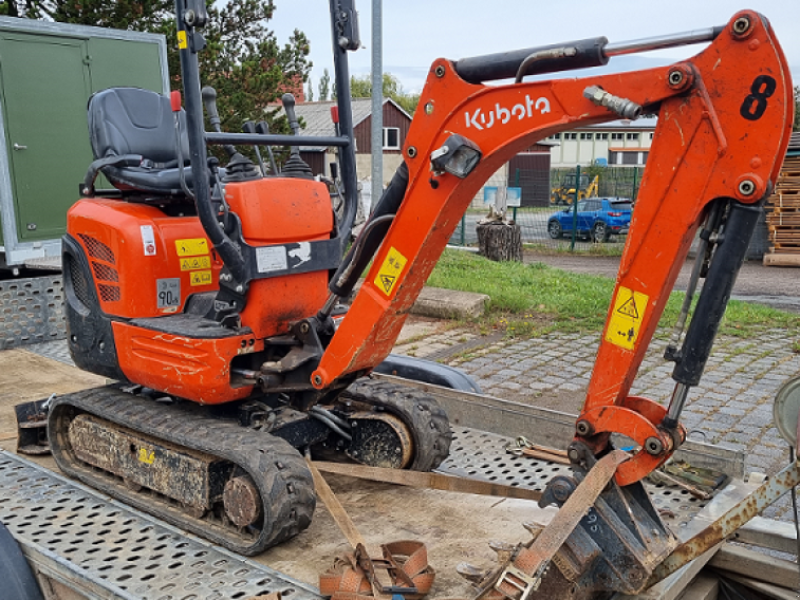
point(31, 311)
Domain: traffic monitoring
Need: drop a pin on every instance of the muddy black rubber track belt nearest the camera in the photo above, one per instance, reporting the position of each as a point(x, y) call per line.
point(283, 480)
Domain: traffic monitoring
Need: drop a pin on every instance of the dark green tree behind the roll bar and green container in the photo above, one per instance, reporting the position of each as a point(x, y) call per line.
point(243, 60)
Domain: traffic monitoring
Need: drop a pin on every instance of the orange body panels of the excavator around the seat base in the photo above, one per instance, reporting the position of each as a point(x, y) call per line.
point(146, 264)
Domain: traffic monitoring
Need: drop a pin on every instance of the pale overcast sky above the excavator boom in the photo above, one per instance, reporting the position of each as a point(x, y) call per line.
point(416, 32)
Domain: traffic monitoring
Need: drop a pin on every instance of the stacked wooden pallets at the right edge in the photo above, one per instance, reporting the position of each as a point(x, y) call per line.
point(783, 214)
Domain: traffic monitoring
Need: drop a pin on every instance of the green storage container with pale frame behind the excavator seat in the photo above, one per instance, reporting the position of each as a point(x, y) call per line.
point(47, 73)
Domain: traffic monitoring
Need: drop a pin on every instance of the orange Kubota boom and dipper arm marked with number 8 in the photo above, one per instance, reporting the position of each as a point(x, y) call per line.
point(724, 119)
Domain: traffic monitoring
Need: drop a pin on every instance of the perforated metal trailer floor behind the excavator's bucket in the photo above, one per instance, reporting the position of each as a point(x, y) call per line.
point(481, 455)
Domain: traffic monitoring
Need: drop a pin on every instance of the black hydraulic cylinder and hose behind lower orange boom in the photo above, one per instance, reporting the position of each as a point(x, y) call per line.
point(347, 275)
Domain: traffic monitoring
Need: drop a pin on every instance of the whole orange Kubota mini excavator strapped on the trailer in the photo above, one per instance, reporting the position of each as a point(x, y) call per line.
point(212, 294)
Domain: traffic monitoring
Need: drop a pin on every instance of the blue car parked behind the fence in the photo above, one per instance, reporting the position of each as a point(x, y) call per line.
point(598, 219)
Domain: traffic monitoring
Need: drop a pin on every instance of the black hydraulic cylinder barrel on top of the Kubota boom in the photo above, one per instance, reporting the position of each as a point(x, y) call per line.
point(504, 65)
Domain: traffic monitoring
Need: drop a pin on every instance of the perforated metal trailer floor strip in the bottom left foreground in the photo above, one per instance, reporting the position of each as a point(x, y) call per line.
point(123, 552)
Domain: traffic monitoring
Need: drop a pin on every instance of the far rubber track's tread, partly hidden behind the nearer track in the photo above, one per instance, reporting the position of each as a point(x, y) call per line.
point(430, 428)
